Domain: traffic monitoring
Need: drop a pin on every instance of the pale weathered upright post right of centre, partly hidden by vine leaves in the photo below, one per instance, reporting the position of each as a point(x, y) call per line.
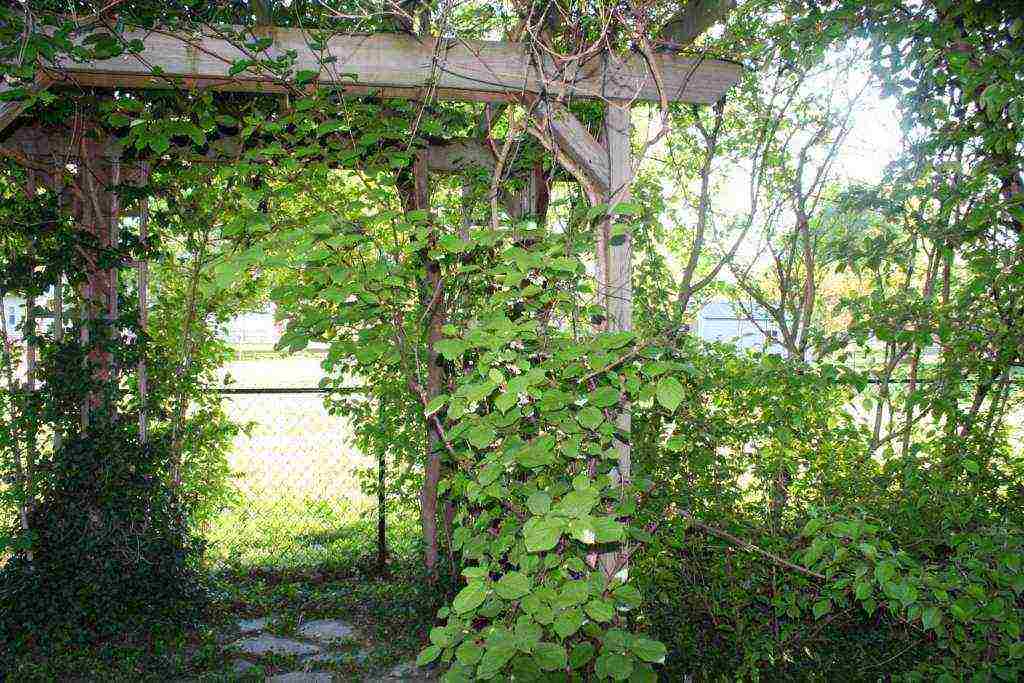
point(615, 276)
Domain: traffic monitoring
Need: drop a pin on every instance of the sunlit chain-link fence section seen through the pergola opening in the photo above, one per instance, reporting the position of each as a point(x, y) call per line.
point(295, 469)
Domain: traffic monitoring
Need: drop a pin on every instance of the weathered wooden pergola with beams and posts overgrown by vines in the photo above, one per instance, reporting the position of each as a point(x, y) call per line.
point(397, 66)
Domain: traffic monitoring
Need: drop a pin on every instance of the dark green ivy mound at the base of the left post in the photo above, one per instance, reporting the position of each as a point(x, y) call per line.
point(111, 548)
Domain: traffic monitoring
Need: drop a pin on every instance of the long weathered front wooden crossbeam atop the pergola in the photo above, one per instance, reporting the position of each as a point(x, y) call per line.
point(400, 65)
